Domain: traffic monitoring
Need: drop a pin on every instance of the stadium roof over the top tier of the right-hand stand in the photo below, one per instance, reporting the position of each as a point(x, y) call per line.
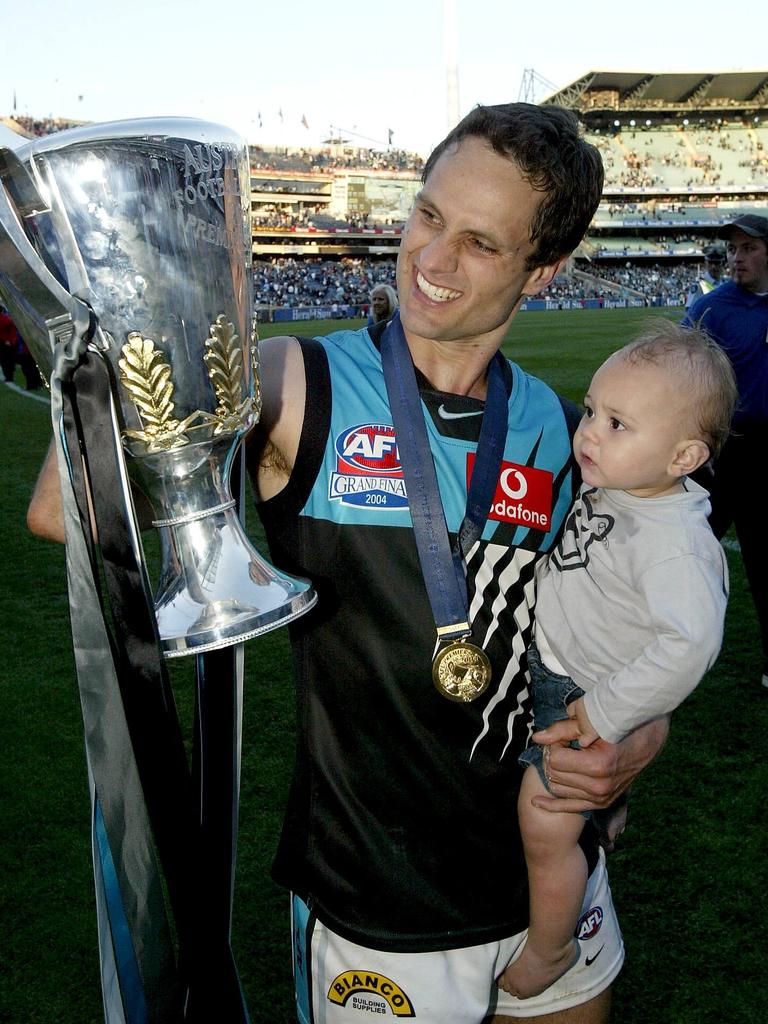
point(635, 90)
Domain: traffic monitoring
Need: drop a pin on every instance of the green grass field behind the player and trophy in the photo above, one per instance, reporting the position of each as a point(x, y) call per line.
point(690, 876)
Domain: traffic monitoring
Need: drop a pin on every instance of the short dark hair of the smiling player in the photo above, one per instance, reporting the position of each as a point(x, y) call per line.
point(546, 145)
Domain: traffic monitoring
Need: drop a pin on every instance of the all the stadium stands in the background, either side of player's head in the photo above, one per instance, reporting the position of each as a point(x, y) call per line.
point(685, 154)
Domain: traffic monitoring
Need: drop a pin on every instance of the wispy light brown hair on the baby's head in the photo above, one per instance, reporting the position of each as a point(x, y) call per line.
point(702, 365)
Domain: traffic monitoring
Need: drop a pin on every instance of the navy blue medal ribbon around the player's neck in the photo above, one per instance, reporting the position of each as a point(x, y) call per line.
point(442, 566)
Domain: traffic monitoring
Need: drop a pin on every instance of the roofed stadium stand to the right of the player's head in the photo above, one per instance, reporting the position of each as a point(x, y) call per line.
point(685, 154)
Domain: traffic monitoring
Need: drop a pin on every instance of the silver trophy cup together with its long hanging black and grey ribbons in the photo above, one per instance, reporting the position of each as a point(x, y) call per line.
point(125, 265)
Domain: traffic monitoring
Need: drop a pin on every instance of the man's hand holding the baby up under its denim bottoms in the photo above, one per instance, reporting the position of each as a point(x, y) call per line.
point(583, 781)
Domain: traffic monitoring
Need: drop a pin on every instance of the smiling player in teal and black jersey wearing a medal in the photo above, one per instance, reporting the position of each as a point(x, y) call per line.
point(379, 453)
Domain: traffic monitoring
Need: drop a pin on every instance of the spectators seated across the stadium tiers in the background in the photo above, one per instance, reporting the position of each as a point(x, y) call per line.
point(638, 156)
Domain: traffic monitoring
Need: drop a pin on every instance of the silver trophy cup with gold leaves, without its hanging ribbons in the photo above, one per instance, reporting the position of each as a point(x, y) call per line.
point(146, 225)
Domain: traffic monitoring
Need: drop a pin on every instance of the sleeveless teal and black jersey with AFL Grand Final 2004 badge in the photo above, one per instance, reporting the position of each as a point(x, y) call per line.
point(402, 826)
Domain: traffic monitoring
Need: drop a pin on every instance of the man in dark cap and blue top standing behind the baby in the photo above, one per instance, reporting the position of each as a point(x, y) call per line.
point(737, 316)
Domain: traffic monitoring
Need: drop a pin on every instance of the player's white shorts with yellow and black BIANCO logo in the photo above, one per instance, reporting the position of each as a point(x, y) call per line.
point(339, 983)
